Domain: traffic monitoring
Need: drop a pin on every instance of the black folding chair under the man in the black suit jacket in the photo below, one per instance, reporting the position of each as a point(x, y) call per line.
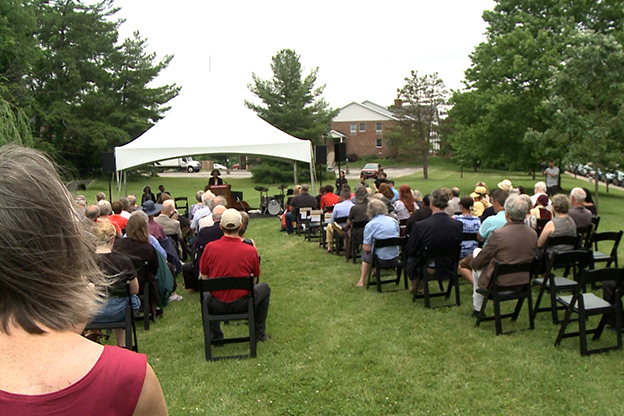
point(450, 256)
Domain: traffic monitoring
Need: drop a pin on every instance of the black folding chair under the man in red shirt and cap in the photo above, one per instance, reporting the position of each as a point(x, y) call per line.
point(228, 283)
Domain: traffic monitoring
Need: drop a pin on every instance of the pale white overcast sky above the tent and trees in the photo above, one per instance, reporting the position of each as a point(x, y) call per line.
point(363, 50)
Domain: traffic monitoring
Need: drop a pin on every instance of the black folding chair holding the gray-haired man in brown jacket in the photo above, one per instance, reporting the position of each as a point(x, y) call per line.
point(500, 294)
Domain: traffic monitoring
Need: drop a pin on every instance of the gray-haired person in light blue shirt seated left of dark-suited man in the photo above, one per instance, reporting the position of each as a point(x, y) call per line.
point(380, 226)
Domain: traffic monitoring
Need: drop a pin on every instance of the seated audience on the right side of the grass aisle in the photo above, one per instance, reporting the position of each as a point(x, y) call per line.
point(505, 226)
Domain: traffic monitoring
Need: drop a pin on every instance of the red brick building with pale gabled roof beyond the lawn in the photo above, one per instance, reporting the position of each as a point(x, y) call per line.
point(363, 126)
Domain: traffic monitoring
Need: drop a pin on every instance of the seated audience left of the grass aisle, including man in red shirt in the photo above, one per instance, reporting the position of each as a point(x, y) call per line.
point(146, 244)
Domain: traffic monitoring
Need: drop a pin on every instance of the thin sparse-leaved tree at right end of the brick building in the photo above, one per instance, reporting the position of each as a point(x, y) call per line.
point(423, 100)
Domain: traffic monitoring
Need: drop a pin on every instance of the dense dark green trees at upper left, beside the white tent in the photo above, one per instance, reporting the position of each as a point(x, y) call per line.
point(69, 85)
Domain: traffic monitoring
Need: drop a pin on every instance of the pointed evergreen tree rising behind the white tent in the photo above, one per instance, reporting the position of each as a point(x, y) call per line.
point(290, 102)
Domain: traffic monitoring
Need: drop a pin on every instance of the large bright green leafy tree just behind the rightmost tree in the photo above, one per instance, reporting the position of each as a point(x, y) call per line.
point(510, 77)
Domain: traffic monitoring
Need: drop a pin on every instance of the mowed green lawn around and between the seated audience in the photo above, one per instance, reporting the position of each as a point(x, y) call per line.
point(340, 350)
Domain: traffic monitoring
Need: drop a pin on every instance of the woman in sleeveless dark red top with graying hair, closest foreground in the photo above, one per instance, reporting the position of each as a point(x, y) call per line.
point(50, 287)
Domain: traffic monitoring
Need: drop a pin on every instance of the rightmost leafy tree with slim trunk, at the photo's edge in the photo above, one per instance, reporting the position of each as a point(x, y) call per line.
point(586, 101)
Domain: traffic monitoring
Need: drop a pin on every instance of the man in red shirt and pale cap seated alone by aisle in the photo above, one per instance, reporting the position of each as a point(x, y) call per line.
point(231, 257)
